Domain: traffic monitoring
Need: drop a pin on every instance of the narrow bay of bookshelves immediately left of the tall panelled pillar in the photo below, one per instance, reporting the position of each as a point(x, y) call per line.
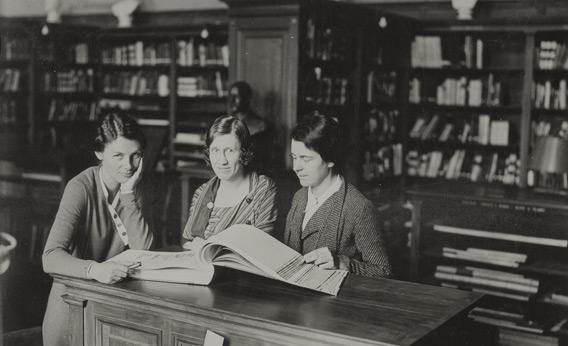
point(202, 88)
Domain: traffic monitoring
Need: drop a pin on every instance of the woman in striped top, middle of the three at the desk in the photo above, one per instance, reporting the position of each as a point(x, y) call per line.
point(236, 195)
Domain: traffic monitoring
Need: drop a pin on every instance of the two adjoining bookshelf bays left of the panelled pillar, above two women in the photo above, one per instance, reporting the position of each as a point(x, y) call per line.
point(167, 76)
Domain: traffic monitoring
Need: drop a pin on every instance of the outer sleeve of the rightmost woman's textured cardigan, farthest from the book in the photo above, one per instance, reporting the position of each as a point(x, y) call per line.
point(368, 241)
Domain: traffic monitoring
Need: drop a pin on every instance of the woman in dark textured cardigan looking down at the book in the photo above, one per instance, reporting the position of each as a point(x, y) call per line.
point(330, 222)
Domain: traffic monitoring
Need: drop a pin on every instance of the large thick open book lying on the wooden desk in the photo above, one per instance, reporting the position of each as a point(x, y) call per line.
point(241, 247)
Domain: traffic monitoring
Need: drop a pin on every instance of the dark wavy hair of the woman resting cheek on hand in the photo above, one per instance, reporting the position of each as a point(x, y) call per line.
point(114, 125)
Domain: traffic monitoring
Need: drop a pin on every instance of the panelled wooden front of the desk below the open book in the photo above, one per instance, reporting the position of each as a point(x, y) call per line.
point(123, 324)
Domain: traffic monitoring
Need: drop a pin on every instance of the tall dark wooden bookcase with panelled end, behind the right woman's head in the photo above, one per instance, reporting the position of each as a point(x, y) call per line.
point(307, 57)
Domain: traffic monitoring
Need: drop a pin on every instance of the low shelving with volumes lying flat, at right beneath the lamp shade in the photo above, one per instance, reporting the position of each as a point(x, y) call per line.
point(502, 241)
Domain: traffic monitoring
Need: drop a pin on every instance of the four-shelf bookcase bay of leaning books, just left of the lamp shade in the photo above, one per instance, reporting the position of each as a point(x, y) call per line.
point(465, 113)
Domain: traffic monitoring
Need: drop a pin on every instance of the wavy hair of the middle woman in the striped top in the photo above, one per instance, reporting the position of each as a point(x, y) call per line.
point(228, 124)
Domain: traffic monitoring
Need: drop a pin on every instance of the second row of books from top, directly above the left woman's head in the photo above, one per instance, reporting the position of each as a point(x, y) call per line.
point(136, 83)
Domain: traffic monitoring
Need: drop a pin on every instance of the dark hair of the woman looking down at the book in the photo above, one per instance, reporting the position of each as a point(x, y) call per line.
point(321, 134)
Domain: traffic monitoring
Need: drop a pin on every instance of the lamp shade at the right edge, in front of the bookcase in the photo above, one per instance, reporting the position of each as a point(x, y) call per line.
point(549, 155)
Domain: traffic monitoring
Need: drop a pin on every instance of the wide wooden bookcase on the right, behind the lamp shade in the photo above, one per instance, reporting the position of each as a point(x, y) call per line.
point(480, 94)
